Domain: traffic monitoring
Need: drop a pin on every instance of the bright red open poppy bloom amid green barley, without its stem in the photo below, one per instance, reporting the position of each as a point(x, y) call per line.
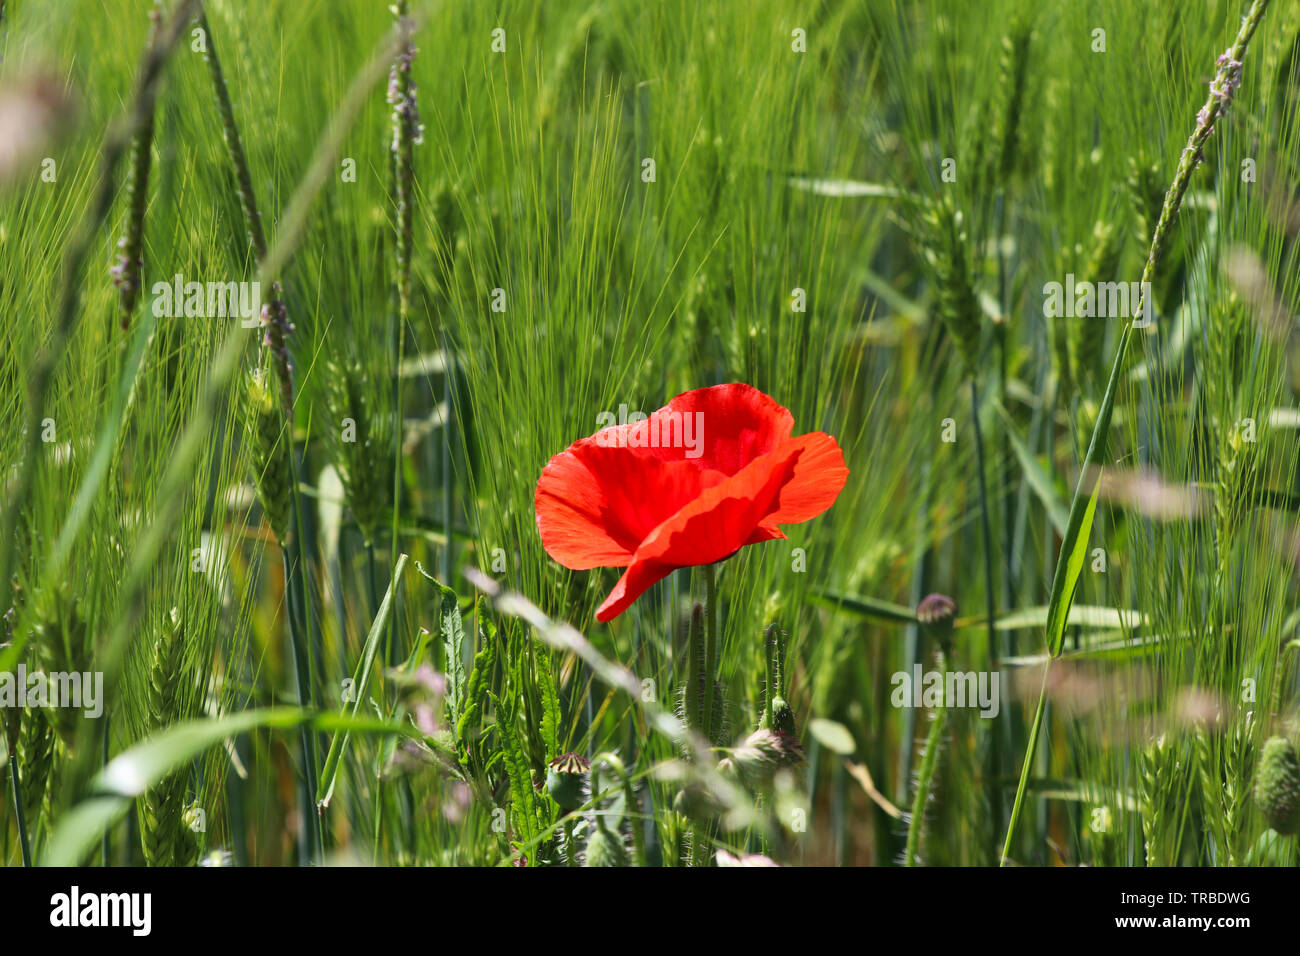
point(710, 473)
